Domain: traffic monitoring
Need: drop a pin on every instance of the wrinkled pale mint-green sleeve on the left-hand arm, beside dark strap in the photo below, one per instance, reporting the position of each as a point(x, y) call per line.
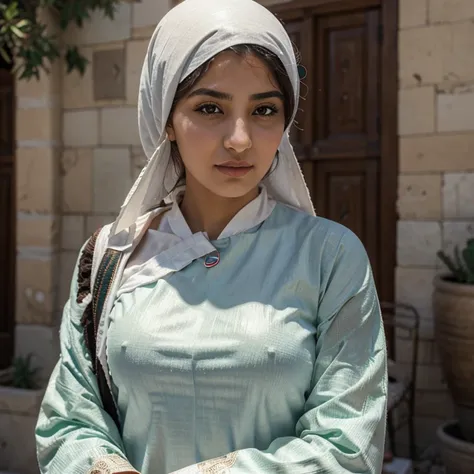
point(73, 431)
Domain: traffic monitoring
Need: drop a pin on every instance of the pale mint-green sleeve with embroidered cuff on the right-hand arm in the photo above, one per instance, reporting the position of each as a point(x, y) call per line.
point(343, 425)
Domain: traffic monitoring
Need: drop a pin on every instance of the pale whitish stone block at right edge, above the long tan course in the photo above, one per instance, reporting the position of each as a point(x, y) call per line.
point(455, 112)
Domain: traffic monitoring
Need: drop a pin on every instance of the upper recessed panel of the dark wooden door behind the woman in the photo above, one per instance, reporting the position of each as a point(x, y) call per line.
point(347, 82)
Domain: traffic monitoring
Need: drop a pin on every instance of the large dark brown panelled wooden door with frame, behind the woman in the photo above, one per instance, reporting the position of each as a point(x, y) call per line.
point(346, 136)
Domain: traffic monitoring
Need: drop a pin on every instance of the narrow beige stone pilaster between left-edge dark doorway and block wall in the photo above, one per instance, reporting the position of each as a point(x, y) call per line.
point(38, 139)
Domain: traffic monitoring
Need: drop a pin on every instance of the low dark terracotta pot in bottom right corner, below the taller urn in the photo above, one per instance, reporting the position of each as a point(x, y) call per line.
point(457, 454)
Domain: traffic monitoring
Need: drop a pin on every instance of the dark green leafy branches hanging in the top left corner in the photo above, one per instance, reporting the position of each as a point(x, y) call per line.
point(26, 41)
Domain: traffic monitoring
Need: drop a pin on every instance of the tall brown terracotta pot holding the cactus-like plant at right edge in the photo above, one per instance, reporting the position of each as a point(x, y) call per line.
point(453, 305)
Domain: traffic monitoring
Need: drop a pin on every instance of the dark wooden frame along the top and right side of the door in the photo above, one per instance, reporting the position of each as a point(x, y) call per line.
point(388, 114)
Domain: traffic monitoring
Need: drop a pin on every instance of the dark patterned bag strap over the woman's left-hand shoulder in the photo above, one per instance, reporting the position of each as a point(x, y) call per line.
point(91, 317)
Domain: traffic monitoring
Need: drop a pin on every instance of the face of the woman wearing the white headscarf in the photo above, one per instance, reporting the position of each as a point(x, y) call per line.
point(228, 127)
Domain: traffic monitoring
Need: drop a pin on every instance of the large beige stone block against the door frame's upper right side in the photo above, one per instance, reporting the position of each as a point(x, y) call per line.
point(423, 53)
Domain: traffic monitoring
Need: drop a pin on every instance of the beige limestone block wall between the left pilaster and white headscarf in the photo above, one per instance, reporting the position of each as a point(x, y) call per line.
point(101, 154)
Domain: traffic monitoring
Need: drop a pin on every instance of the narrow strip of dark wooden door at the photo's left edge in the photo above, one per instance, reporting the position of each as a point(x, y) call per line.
point(7, 218)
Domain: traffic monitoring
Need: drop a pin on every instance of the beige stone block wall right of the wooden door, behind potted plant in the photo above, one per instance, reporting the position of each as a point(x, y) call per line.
point(436, 165)
